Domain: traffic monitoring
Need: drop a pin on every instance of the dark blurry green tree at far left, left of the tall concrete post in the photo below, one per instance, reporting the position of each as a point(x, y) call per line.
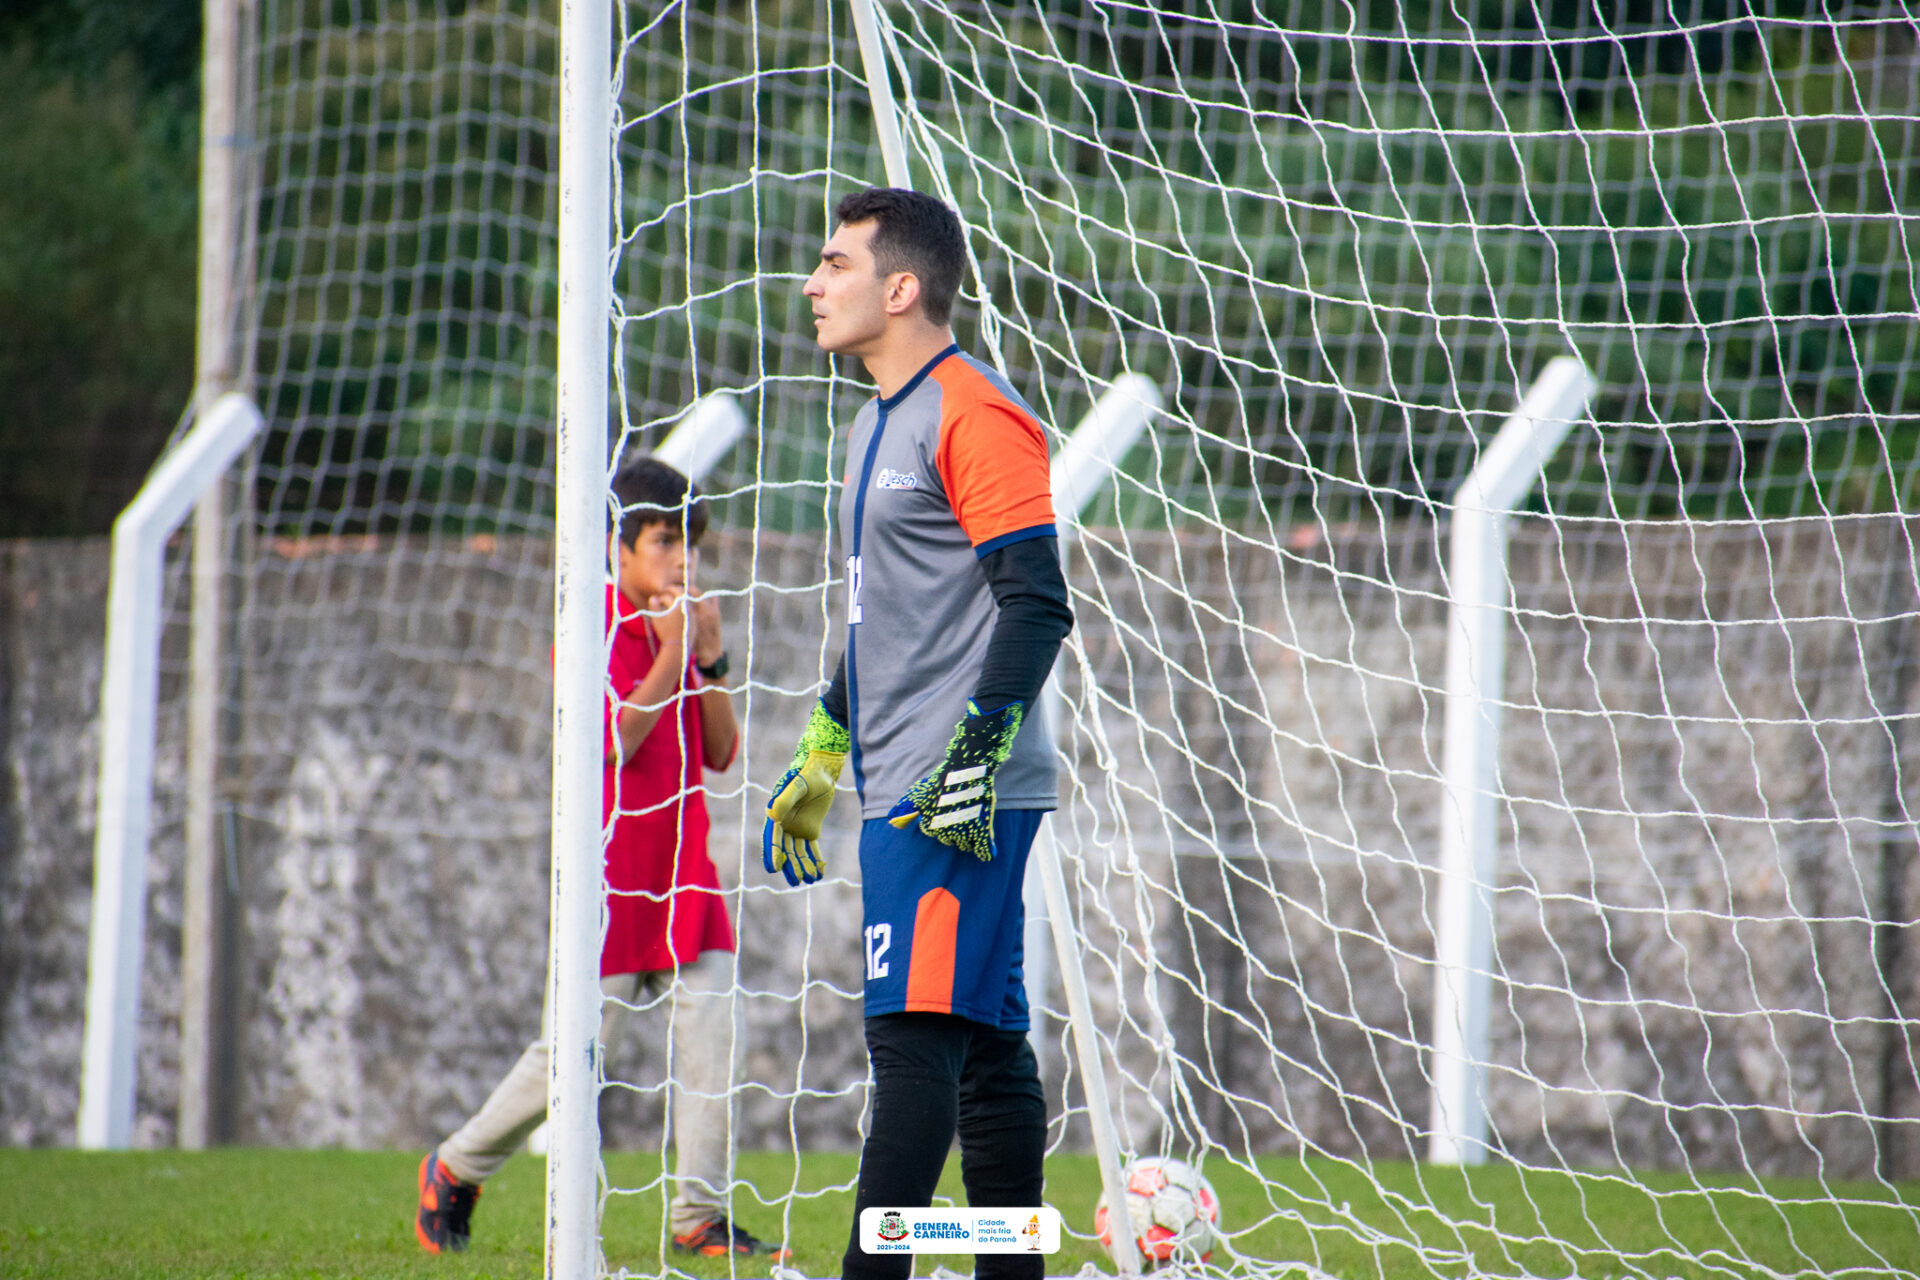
point(97, 287)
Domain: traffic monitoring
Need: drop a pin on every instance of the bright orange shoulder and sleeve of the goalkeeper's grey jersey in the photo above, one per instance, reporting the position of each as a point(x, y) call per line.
point(992, 460)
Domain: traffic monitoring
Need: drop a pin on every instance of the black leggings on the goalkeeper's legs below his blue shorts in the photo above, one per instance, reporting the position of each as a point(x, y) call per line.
point(936, 1076)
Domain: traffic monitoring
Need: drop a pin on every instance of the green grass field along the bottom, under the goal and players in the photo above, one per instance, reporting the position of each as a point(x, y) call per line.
point(350, 1214)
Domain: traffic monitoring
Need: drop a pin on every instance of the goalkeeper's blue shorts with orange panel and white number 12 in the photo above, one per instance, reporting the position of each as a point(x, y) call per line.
point(944, 930)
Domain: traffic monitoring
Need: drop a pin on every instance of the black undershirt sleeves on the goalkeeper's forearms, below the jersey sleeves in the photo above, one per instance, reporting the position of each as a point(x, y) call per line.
point(1034, 617)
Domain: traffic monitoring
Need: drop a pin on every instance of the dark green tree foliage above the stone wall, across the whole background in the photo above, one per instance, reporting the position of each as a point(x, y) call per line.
point(1341, 235)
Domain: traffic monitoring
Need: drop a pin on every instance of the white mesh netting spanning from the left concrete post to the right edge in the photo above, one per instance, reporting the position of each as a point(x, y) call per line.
point(1343, 243)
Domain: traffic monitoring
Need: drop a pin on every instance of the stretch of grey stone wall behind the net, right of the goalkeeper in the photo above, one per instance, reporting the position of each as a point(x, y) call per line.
point(1706, 813)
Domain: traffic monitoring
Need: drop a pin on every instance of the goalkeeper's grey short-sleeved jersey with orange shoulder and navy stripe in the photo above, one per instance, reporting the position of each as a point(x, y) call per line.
point(940, 475)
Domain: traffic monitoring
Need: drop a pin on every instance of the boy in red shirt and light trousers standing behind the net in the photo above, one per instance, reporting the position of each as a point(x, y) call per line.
point(667, 924)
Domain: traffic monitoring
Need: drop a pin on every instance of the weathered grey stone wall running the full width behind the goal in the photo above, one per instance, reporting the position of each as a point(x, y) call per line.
point(1706, 838)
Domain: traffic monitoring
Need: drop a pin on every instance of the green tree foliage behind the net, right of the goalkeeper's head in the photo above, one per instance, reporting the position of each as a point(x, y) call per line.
point(1368, 227)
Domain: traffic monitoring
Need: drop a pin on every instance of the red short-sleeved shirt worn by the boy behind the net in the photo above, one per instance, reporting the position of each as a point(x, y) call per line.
point(663, 893)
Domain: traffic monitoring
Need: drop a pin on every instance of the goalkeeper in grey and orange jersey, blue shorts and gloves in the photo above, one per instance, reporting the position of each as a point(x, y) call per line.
point(955, 615)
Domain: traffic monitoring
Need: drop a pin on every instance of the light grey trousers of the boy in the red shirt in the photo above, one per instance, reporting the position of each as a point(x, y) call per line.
point(706, 1039)
